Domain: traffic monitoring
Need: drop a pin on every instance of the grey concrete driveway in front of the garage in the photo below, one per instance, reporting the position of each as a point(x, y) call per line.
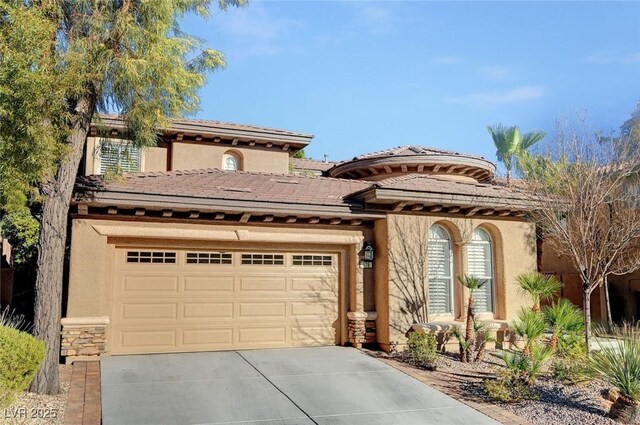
point(298, 386)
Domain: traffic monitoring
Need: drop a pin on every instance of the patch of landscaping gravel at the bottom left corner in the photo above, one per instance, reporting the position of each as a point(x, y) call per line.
point(36, 409)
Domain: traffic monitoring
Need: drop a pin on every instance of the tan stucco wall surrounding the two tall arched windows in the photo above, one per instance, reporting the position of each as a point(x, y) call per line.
point(513, 250)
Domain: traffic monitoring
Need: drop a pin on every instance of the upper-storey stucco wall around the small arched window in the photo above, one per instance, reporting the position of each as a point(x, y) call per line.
point(188, 156)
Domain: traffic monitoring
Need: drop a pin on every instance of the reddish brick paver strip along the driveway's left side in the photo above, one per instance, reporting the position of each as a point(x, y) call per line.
point(83, 402)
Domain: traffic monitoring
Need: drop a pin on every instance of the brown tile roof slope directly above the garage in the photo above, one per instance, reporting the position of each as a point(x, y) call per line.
point(231, 185)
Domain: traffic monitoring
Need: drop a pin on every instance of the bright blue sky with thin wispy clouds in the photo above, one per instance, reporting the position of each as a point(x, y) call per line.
point(363, 76)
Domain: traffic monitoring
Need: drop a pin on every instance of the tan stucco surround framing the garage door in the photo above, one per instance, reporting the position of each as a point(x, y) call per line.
point(95, 245)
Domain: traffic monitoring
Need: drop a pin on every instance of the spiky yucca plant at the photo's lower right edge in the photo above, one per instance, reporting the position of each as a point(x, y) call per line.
point(618, 362)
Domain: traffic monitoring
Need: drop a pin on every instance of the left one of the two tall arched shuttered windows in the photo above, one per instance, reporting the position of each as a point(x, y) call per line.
point(440, 256)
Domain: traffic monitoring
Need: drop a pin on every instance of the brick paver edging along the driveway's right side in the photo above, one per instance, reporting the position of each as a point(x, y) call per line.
point(439, 380)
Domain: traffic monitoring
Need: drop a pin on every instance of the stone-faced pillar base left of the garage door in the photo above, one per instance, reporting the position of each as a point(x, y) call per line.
point(83, 337)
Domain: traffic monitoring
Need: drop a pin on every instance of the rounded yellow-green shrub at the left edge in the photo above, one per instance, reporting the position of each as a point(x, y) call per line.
point(20, 358)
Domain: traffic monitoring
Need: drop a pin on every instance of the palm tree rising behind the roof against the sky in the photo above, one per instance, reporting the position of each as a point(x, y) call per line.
point(511, 144)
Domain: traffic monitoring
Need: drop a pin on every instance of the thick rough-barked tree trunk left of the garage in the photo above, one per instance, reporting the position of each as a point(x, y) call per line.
point(52, 241)
